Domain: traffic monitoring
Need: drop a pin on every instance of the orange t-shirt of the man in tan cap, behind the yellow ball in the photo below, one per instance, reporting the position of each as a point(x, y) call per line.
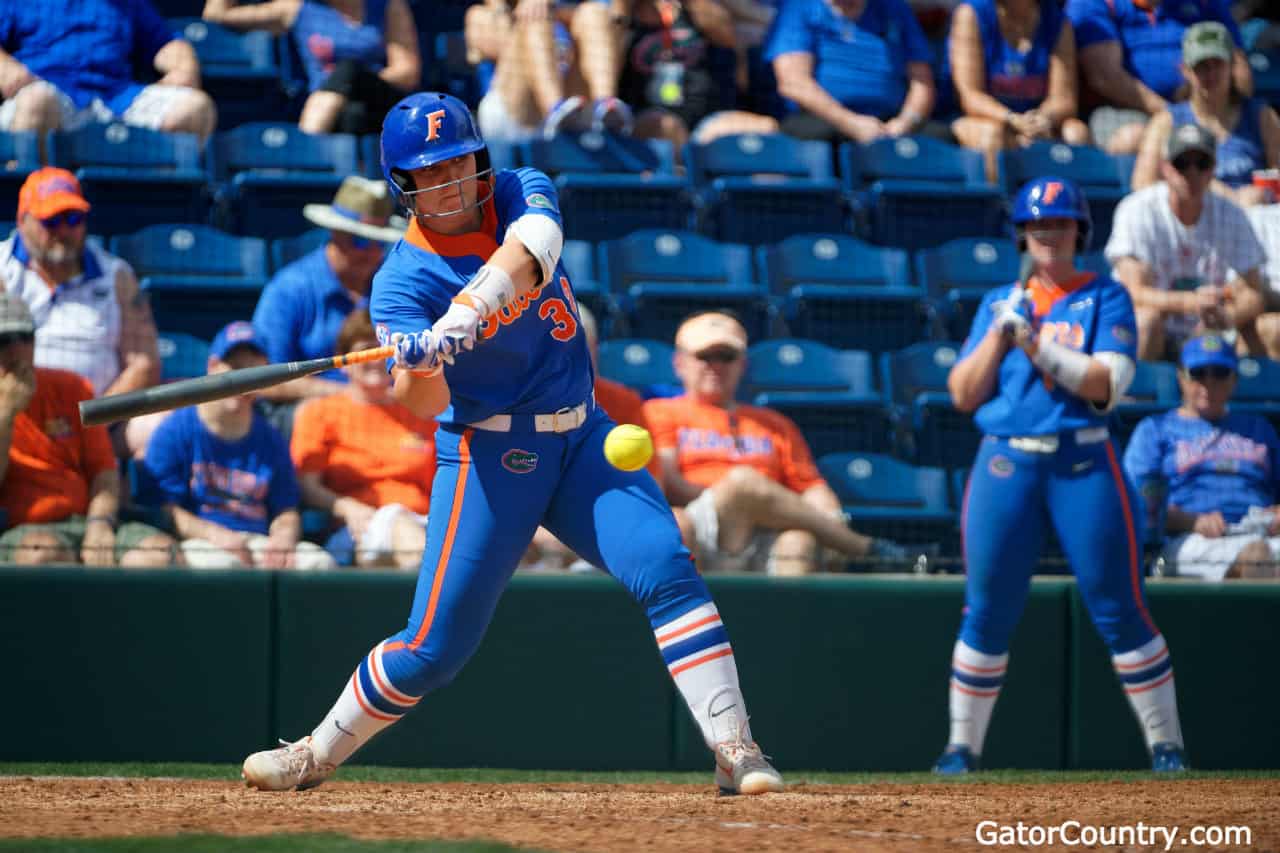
point(710, 441)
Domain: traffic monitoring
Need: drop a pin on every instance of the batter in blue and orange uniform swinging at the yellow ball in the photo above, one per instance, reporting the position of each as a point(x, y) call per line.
point(520, 444)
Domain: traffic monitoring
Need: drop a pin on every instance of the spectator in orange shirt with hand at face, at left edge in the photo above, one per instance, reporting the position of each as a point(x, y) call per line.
point(60, 483)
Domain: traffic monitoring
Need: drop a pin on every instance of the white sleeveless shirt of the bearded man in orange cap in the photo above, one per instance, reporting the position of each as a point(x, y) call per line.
point(77, 323)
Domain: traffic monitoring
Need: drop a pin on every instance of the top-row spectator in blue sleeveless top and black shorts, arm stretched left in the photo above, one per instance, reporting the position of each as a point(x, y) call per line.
point(360, 56)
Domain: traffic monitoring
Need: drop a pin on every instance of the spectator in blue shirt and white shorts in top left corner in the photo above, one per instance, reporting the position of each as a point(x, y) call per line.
point(67, 63)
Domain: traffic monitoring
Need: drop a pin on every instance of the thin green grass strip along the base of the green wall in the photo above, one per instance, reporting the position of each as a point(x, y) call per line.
point(493, 777)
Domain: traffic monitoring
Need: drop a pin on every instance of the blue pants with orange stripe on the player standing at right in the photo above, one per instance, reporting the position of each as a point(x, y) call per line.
point(1084, 492)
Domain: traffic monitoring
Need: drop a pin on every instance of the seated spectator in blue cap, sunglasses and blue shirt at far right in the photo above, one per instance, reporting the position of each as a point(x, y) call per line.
point(1220, 472)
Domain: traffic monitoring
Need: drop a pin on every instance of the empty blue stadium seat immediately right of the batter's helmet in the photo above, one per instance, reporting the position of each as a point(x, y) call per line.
point(610, 186)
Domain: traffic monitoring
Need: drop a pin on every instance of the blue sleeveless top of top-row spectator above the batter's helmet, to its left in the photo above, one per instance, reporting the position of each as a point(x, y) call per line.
point(324, 38)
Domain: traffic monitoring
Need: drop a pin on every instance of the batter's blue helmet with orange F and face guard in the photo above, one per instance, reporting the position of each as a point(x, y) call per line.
point(427, 129)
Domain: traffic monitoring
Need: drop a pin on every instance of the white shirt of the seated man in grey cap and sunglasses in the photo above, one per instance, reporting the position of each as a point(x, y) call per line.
point(1220, 247)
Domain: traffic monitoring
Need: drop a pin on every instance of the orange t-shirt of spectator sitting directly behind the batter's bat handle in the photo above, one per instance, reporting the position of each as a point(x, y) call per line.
point(378, 455)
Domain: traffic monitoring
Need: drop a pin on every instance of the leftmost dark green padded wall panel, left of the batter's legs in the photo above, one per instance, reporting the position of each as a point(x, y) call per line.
point(108, 665)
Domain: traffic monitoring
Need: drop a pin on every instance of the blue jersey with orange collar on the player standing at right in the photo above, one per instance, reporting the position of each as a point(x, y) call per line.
point(1091, 314)
